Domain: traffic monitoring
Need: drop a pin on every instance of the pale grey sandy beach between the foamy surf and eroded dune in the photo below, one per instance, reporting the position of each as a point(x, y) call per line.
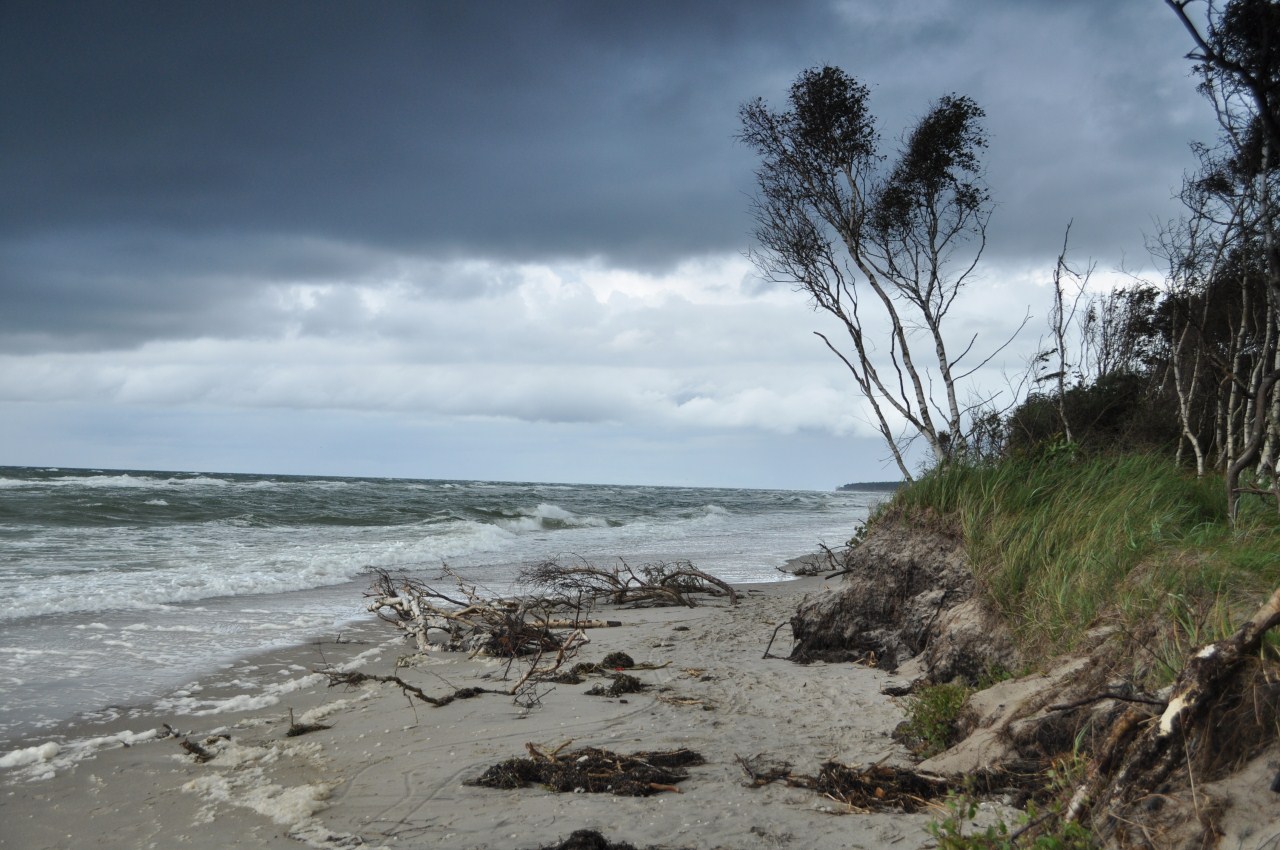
point(390, 773)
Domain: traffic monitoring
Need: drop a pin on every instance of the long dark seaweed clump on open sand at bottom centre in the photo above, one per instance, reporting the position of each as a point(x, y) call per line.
point(596, 771)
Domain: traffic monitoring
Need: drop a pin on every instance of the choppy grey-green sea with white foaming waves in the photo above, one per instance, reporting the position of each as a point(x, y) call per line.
point(120, 586)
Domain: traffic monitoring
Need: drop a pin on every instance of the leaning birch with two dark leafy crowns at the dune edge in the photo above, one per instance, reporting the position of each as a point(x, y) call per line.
point(883, 248)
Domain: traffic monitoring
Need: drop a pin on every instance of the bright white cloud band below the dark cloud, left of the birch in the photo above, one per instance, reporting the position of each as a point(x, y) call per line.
point(572, 344)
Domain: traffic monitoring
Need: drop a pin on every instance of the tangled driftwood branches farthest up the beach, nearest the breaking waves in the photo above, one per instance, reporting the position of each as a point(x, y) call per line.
point(650, 586)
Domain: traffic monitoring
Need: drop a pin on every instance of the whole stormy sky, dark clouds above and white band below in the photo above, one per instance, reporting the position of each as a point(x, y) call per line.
point(508, 240)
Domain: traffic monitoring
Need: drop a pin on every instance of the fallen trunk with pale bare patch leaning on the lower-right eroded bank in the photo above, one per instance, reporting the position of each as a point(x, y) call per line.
point(1146, 751)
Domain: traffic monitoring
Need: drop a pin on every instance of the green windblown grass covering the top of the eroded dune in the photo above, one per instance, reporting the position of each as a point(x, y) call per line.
point(1063, 543)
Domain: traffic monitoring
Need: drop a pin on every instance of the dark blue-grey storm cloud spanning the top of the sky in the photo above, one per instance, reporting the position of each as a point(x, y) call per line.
point(162, 163)
